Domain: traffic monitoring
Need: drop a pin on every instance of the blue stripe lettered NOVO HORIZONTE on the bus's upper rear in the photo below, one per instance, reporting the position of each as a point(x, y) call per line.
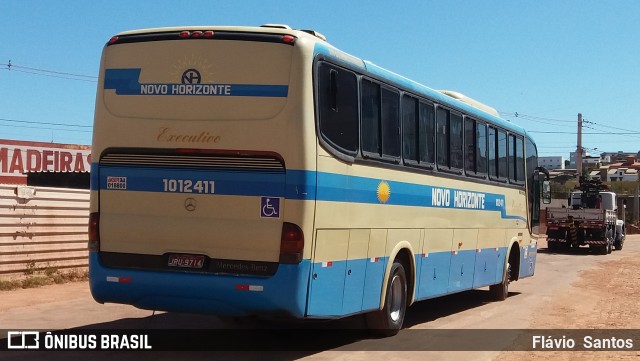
point(127, 82)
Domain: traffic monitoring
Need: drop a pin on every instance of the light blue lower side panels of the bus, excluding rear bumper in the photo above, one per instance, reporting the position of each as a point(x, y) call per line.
point(347, 287)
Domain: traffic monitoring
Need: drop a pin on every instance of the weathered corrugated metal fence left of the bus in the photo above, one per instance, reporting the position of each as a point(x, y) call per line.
point(42, 228)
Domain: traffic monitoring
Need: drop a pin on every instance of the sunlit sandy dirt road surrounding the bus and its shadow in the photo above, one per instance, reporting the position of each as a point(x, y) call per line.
point(580, 290)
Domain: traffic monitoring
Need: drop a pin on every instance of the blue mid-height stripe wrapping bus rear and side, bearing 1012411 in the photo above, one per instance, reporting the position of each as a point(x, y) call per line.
point(300, 185)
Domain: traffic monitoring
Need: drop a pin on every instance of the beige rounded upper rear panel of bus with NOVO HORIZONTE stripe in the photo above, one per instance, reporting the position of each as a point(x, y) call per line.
point(193, 80)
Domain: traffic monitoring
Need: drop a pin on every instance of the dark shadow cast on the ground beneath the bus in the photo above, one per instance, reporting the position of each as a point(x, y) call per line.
point(176, 336)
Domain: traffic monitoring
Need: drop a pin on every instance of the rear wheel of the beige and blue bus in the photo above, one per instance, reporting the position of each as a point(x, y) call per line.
point(388, 321)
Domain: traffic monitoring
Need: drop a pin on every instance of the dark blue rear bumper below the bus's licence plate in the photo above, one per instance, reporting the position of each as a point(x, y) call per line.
point(284, 294)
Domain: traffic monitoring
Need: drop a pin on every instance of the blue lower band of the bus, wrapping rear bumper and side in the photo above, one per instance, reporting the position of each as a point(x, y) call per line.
point(337, 288)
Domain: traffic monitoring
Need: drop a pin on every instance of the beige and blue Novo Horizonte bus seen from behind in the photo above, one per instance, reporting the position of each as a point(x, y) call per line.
point(260, 171)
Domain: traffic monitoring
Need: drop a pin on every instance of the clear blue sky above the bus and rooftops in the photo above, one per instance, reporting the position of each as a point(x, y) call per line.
point(538, 62)
